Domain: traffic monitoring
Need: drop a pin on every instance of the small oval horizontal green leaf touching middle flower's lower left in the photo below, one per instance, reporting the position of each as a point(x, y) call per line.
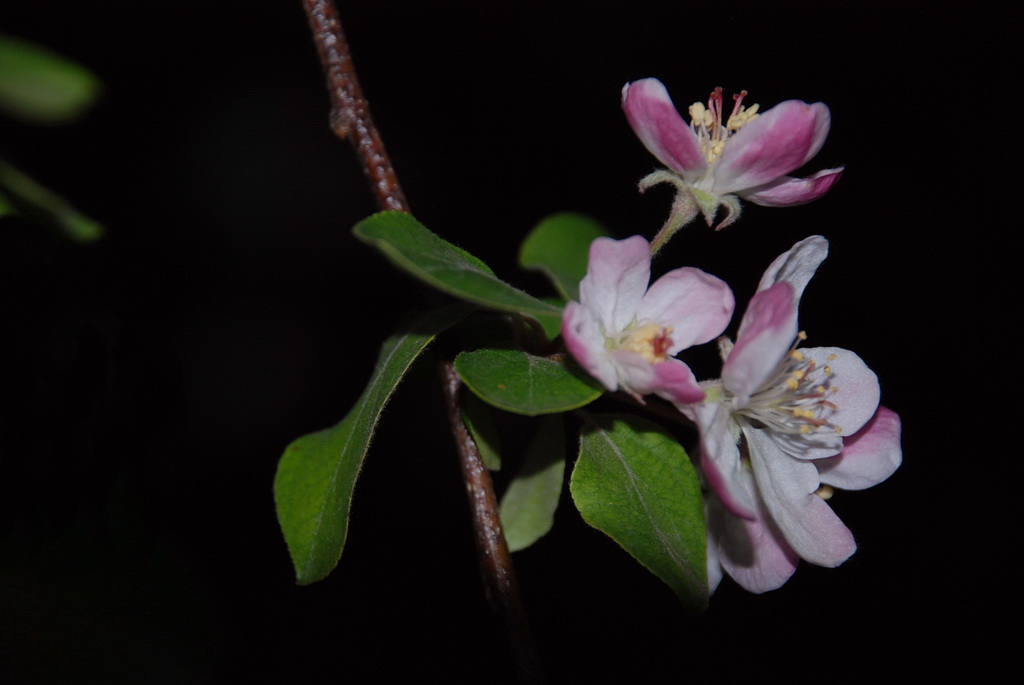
point(516, 381)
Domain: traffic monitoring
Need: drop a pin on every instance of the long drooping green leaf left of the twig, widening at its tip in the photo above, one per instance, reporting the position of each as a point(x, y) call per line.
point(314, 487)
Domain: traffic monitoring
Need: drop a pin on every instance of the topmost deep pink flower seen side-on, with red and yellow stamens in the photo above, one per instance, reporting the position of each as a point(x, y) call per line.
point(748, 156)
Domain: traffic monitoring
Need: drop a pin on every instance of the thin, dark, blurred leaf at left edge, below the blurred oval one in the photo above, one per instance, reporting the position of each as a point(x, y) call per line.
point(22, 196)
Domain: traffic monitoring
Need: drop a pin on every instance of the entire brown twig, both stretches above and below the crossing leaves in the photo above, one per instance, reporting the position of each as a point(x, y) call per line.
point(351, 119)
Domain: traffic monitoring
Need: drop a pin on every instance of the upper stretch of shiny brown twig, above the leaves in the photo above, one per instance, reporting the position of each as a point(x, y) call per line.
point(350, 110)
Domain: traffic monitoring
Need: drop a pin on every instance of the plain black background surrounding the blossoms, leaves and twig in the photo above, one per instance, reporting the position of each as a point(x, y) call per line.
point(151, 381)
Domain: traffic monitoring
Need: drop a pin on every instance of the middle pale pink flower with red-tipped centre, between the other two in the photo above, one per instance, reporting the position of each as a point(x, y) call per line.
point(626, 335)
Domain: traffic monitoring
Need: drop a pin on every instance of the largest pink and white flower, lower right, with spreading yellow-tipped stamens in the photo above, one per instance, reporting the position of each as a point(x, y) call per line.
point(780, 430)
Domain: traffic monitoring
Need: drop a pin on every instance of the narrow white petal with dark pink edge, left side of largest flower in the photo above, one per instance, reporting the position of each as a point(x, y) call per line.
point(720, 458)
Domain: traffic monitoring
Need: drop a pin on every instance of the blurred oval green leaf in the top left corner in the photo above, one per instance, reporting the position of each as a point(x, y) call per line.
point(38, 87)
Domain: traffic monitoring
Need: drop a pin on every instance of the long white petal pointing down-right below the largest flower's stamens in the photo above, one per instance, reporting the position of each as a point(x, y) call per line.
point(787, 488)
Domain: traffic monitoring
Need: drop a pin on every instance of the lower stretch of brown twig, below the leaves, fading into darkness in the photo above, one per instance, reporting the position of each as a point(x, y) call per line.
point(493, 552)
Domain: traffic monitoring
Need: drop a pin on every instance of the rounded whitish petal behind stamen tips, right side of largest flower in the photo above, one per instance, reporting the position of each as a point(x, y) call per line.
point(855, 388)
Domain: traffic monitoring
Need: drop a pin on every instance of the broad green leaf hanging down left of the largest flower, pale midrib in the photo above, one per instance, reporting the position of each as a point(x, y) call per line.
point(635, 484)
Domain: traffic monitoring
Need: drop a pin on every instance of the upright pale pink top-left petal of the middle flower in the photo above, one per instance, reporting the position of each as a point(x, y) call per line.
point(618, 274)
